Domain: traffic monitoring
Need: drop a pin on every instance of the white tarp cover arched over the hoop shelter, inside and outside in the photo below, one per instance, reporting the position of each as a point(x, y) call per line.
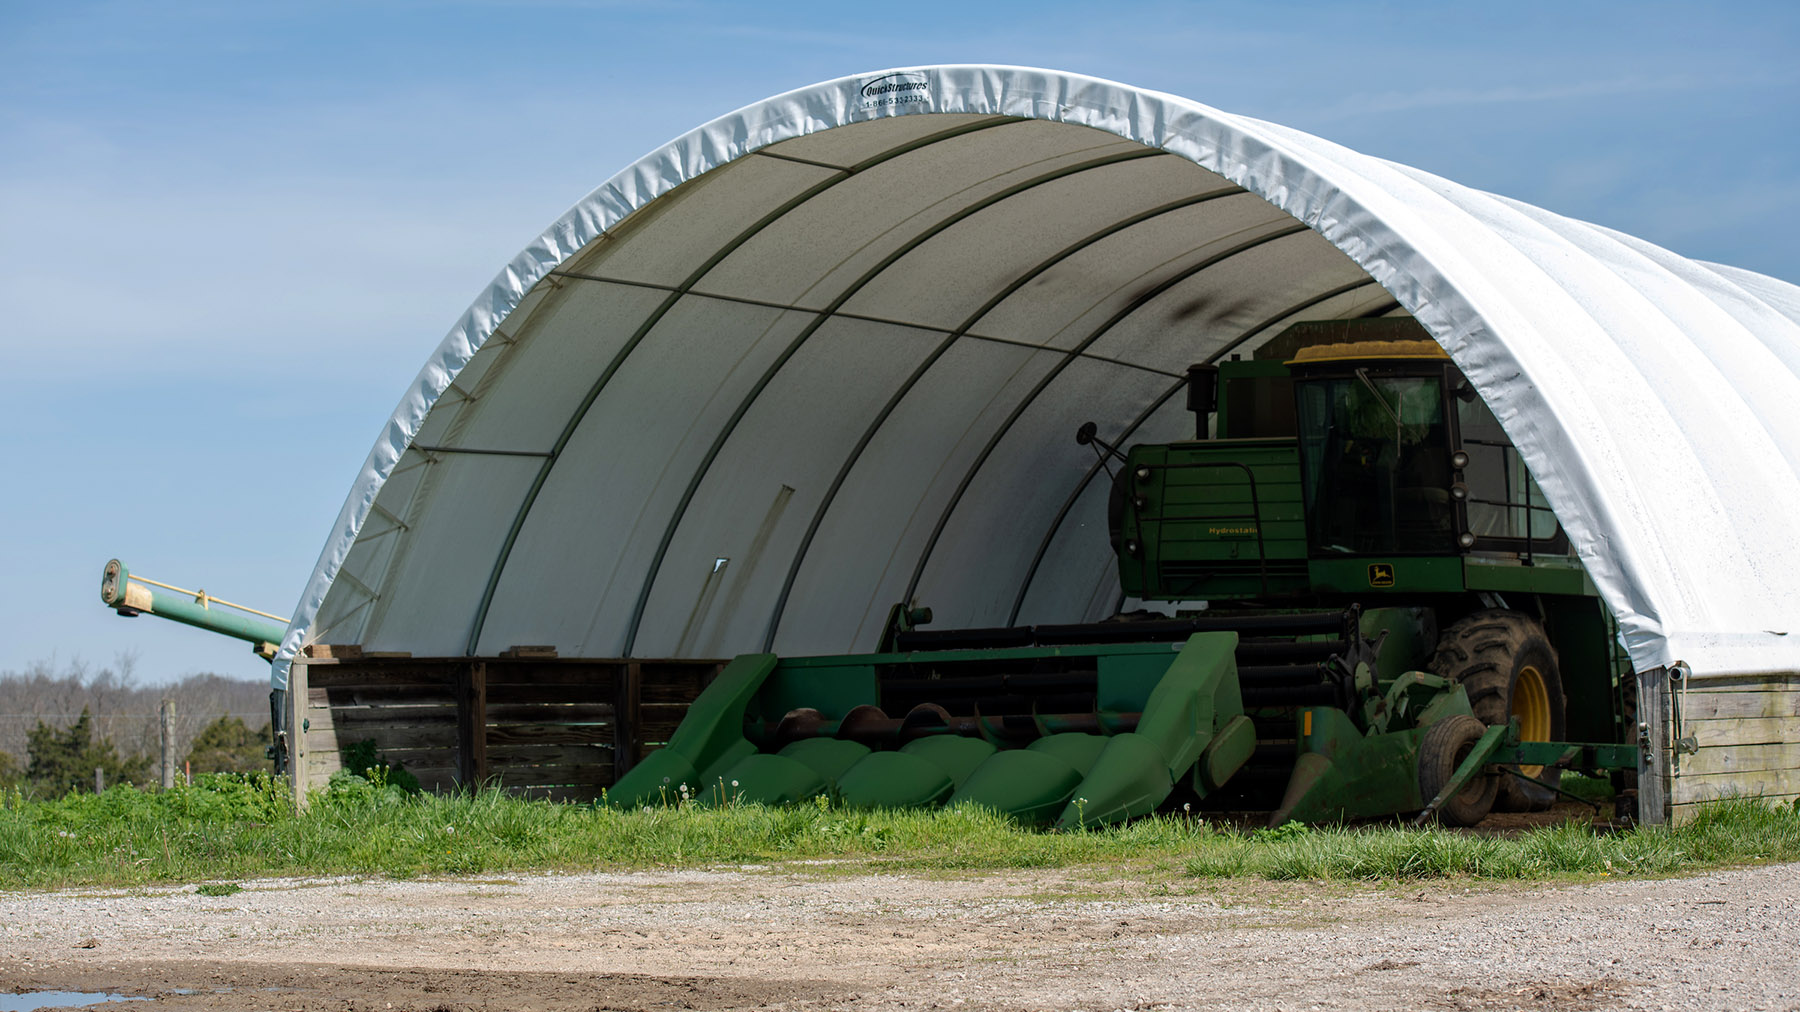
point(829, 354)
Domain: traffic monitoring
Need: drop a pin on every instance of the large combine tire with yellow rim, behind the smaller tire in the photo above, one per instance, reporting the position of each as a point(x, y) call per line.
point(1507, 667)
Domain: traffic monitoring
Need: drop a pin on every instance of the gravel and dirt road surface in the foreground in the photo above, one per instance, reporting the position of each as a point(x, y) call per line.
point(834, 939)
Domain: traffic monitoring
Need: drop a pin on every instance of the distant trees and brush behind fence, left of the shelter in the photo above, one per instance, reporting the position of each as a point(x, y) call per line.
point(57, 728)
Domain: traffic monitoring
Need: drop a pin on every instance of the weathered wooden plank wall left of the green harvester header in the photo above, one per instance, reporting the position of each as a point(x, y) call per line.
point(559, 728)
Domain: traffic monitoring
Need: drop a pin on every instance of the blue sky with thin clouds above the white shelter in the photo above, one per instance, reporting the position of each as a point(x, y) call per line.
point(231, 233)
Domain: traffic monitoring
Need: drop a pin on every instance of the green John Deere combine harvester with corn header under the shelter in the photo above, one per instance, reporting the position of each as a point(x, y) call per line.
point(1369, 610)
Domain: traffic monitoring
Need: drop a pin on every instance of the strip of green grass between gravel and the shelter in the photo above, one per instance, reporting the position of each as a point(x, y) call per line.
point(237, 827)
